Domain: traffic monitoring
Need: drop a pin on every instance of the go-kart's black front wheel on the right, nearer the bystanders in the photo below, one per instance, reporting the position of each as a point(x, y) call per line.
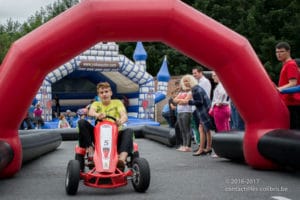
point(141, 174)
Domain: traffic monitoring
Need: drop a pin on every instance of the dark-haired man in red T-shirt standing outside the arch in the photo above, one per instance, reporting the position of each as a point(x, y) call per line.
point(289, 77)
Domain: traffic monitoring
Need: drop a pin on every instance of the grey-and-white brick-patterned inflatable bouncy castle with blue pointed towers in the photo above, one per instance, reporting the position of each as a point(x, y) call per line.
point(75, 81)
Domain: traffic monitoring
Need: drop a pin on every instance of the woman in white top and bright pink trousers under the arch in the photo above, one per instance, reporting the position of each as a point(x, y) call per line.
point(220, 108)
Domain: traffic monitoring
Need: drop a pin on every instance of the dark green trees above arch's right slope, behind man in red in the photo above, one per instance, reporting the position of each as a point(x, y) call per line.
point(264, 23)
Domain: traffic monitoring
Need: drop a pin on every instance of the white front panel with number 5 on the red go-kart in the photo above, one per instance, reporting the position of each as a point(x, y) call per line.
point(106, 143)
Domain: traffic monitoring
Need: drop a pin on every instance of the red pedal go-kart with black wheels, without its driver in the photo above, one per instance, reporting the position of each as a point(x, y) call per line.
point(105, 172)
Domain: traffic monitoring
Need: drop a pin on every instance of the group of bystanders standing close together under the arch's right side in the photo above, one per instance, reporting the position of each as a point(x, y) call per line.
point(198, 111)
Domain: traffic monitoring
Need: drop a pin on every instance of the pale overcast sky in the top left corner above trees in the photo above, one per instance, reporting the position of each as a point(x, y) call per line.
point(20, 10)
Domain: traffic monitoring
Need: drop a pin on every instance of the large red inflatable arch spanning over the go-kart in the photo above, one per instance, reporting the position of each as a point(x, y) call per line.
point(172, 22)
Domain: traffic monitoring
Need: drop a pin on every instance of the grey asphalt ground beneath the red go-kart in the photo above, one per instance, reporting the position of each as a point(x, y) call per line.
point(174, 175)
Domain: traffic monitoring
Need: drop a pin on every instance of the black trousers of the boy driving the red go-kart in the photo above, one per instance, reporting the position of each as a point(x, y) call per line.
point(86, 137)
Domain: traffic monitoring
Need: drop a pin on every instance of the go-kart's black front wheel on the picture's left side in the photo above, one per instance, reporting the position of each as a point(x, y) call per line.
point(72, 177)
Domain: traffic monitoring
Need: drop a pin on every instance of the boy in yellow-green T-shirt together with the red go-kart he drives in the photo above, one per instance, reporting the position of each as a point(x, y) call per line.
point(107, 146)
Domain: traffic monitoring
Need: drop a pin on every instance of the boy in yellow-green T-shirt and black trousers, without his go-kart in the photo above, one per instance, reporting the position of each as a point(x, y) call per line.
point(99, 110)
